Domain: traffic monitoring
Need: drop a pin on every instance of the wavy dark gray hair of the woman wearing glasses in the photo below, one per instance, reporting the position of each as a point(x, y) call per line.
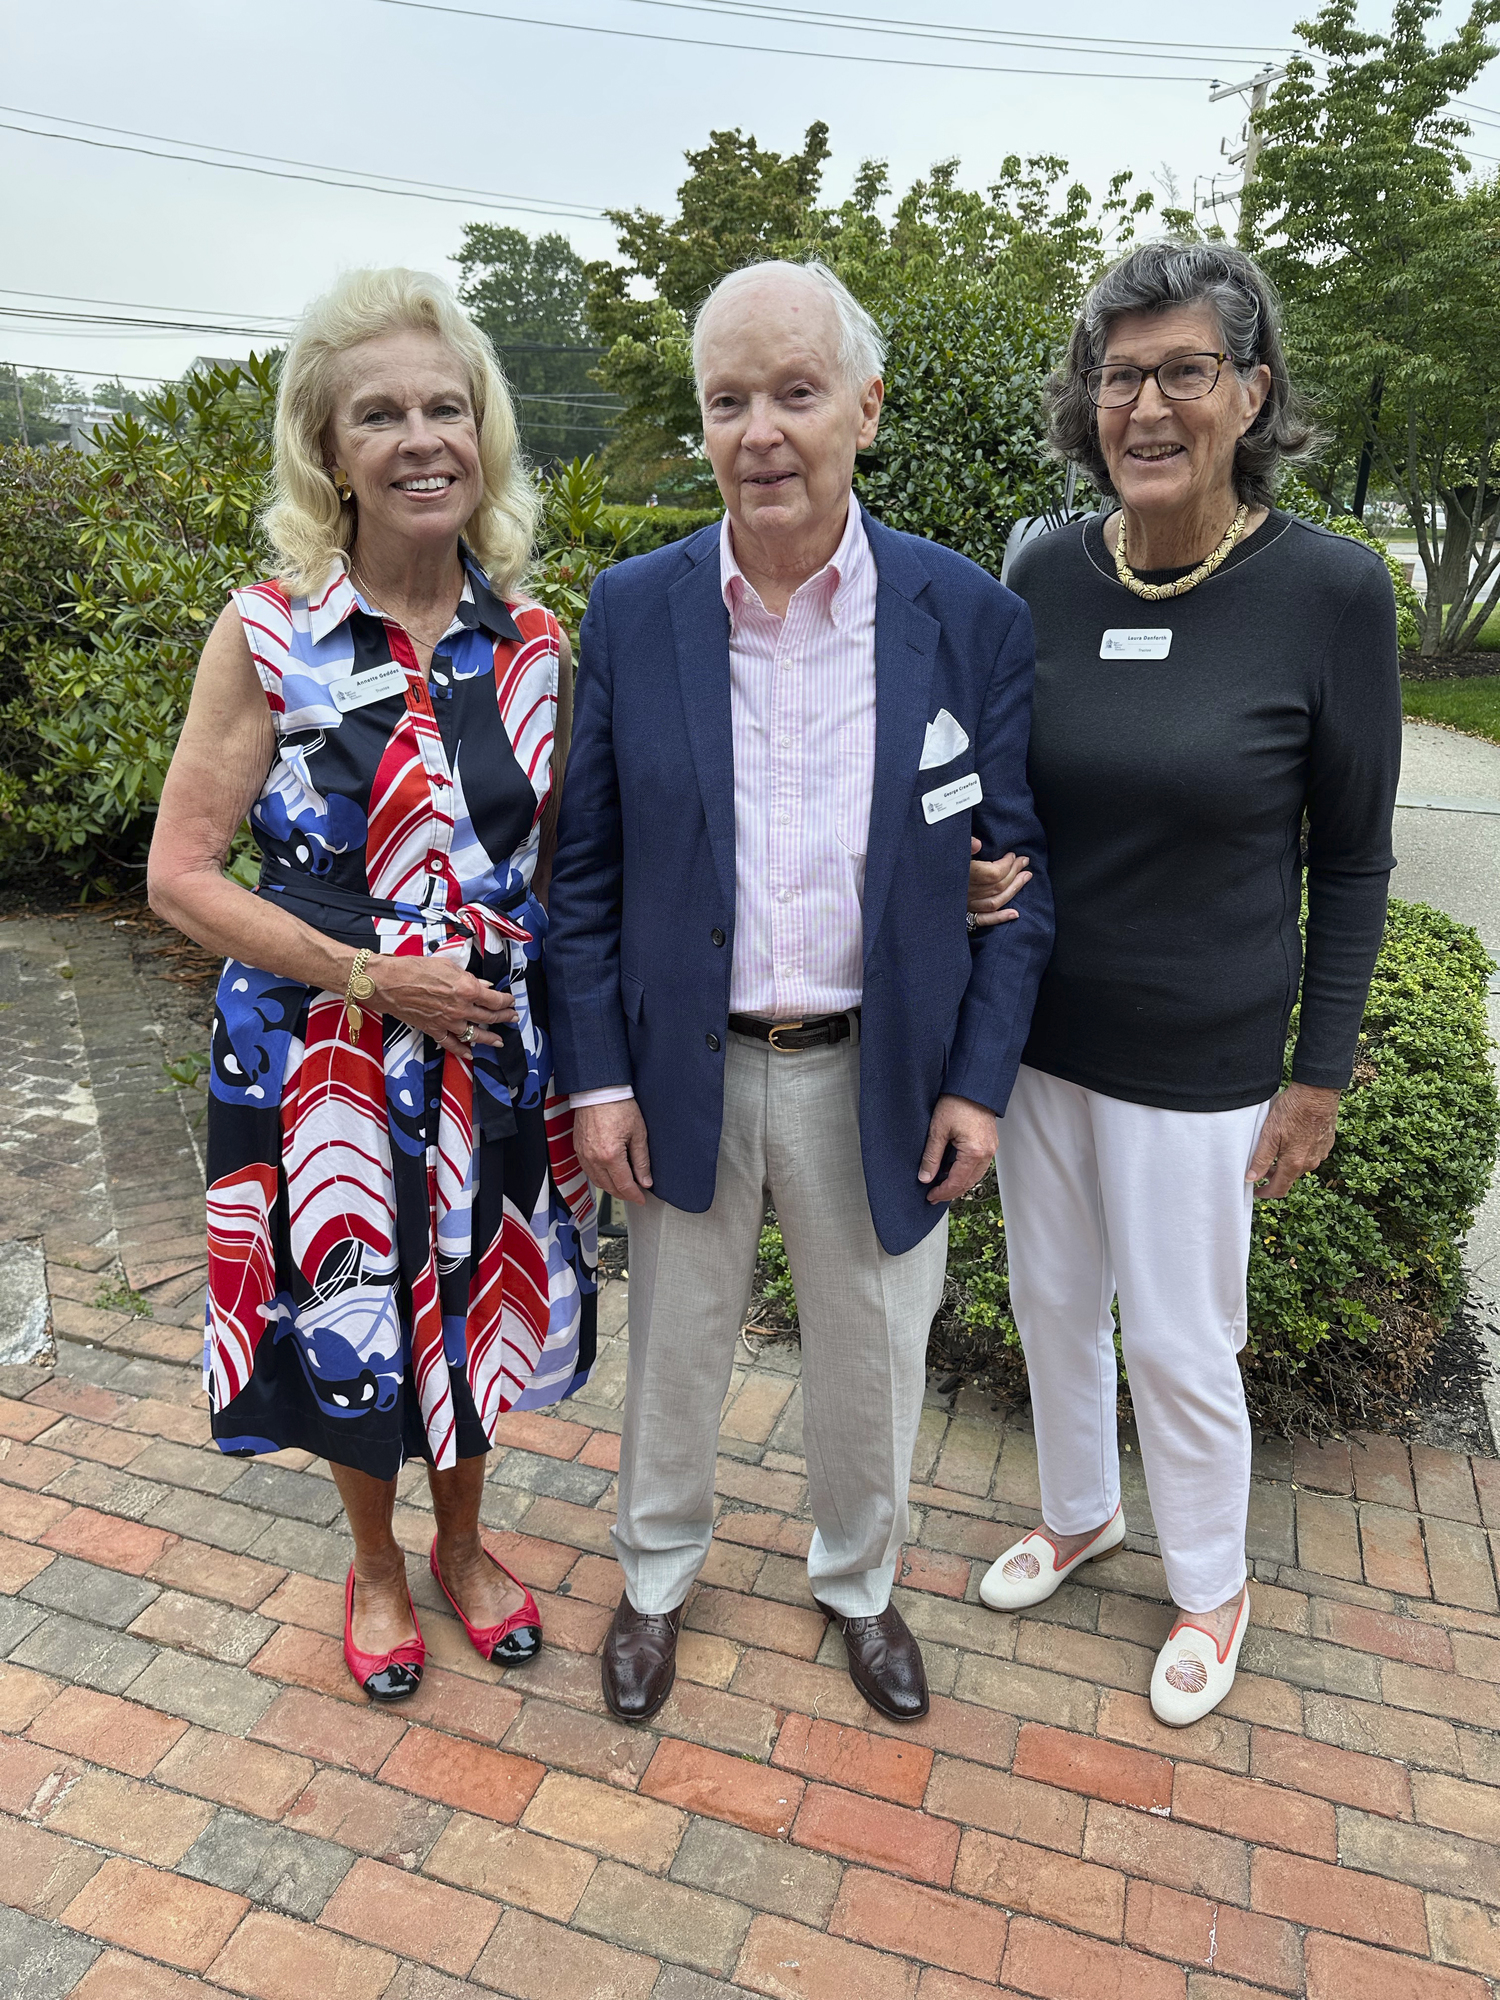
point(1157, 279)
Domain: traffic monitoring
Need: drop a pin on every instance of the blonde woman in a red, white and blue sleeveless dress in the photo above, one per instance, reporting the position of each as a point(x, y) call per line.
point(401, 1245)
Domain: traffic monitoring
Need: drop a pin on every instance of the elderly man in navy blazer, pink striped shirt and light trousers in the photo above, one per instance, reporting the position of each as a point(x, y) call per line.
point(761, 975)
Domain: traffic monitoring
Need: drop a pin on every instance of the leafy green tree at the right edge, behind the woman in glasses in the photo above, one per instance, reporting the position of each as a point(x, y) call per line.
point(1389, 263)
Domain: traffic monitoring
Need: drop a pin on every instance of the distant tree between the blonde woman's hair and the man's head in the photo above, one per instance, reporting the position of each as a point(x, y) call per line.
point(529, 295)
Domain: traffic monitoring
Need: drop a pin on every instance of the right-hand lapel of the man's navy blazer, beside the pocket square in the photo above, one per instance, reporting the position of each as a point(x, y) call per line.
point(907, 645)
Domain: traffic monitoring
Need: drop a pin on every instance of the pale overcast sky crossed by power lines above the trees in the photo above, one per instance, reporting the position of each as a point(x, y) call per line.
point(529, 111)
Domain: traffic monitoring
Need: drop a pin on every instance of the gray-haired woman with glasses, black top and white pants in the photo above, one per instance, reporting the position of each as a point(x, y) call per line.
point(1217, 717)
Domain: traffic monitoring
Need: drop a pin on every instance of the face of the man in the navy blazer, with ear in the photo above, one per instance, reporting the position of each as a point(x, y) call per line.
point(781, 421)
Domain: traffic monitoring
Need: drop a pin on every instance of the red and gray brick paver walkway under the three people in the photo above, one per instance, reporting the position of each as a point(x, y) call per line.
point(197, 1801)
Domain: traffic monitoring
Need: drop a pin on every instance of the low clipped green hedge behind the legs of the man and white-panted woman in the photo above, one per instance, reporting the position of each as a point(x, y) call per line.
point(1357, 1271)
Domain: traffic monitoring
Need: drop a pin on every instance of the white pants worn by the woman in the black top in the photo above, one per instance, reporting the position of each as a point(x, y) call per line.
point(1107, 1199)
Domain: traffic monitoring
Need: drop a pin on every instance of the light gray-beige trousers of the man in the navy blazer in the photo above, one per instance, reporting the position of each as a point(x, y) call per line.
point(791, 1131)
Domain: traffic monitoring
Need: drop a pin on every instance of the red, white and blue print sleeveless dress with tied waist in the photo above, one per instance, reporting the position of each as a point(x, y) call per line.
point(401, 1241)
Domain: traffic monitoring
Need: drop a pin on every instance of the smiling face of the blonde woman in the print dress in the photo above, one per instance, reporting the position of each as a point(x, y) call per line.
point(407, 437)
